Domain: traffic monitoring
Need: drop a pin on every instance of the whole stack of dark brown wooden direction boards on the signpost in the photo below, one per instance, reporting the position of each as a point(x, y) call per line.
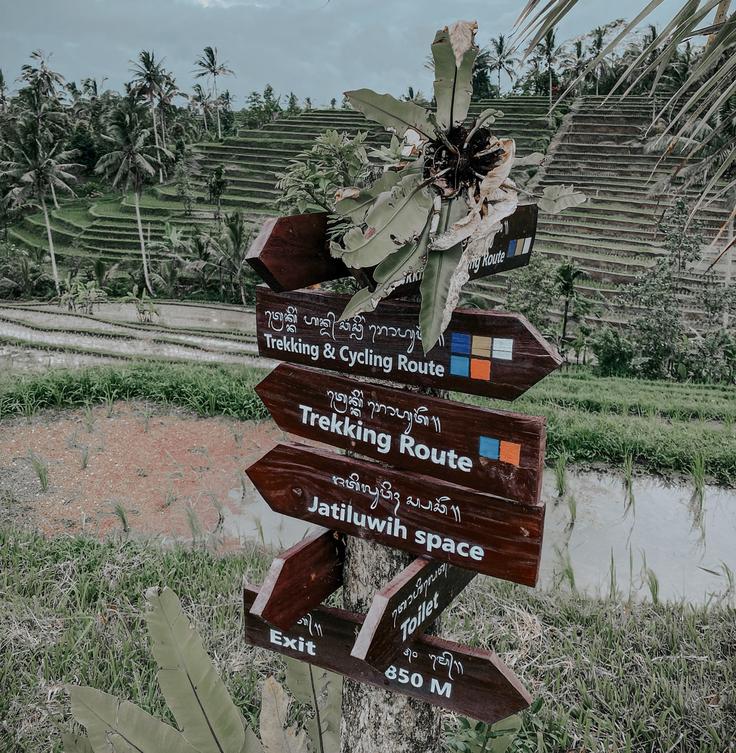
point(456, 486)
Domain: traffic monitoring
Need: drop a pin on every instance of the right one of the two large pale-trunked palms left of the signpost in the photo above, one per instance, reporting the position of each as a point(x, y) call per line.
point(132, 160)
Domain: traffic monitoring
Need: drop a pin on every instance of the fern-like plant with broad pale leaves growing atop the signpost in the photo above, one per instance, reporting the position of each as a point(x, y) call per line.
point(440, 205)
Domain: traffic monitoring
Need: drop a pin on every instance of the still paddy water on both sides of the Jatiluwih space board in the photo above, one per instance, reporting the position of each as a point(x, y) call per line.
point(661, 536)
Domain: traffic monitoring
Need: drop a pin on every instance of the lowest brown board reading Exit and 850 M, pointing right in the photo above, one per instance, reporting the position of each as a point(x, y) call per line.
point(469, 681)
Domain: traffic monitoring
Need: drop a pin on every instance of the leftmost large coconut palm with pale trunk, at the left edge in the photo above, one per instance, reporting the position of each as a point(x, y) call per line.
point(35, 170)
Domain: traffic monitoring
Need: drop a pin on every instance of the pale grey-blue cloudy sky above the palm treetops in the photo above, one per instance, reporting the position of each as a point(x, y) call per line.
point(317, 48)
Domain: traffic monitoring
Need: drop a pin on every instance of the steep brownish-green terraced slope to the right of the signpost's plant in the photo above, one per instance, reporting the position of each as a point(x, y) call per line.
point(614, 236)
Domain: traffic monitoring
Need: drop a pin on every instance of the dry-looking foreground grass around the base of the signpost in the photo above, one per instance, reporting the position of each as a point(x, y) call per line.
point(610, 676)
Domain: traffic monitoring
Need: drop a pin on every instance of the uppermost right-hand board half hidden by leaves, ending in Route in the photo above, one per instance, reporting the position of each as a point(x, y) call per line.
point(511, 249)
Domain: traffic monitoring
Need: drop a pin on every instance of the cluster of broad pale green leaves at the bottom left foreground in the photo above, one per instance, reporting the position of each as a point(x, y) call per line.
point(207, 718)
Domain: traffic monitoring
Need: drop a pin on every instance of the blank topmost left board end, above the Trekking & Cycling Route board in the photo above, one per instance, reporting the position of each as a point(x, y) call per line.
point(292, 252)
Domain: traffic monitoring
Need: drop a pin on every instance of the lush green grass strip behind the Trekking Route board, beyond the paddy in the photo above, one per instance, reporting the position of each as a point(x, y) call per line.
point(659, 427)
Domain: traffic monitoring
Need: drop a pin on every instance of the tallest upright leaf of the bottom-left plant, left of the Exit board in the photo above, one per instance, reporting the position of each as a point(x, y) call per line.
point(196, 695)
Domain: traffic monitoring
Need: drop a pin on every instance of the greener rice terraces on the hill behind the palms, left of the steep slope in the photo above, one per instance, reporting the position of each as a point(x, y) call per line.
point(107, 230)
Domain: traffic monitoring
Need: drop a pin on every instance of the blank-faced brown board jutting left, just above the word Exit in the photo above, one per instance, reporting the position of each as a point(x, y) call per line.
point(301, 578)
